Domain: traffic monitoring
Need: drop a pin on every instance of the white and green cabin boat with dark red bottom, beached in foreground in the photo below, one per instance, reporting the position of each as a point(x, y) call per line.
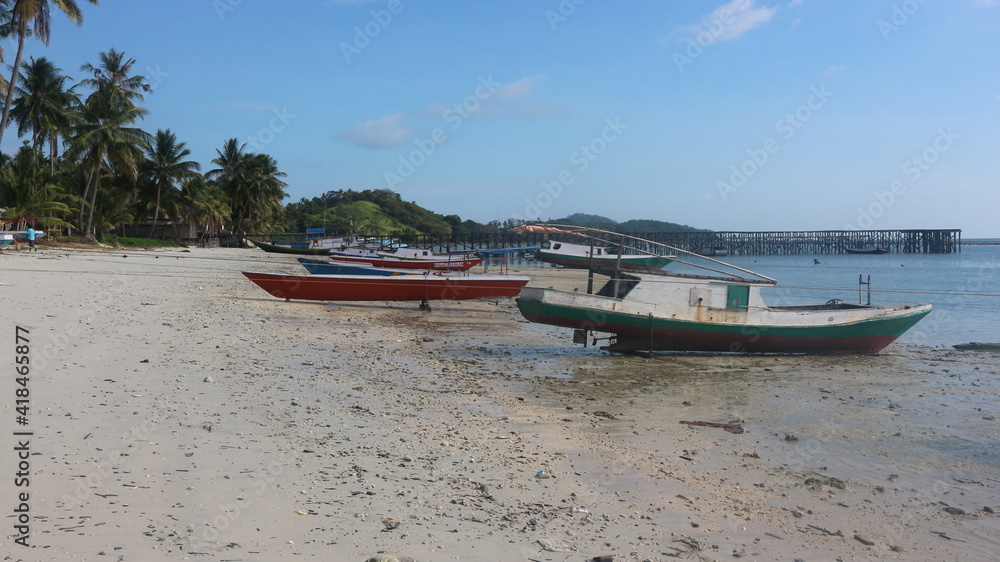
point(721, 310)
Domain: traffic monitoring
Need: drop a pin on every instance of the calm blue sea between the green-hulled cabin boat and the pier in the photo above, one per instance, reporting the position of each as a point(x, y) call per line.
point(959, 286)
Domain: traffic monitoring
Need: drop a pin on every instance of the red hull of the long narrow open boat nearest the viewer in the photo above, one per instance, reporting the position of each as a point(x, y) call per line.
point(382, 288)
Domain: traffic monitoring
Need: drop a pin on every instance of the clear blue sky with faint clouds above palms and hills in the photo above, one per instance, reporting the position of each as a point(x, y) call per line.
point(740, 115)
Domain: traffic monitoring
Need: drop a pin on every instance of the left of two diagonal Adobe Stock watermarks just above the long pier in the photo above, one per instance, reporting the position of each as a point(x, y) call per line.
point(787, 127)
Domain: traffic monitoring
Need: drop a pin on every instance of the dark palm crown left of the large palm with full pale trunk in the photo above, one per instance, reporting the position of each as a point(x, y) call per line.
point(43, 106)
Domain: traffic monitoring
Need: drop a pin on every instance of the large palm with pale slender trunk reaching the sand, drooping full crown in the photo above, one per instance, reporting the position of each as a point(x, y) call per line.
point(104, 140)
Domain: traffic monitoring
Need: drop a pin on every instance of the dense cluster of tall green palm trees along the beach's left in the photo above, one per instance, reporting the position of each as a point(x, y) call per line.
point(86, 166)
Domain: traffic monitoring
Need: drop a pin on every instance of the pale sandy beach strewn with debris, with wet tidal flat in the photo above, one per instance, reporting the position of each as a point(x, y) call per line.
point(178, 412)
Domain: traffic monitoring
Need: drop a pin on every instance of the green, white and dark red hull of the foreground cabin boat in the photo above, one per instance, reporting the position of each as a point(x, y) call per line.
point(835, 330)
